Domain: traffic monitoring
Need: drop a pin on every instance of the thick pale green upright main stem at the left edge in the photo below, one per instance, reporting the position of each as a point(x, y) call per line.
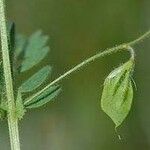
point(12, 119)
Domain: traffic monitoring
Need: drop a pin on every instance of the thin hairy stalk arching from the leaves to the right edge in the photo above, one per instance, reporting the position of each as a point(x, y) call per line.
point(109, 51)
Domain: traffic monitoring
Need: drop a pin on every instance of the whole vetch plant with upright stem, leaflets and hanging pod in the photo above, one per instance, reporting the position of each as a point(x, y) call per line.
point(20, 54)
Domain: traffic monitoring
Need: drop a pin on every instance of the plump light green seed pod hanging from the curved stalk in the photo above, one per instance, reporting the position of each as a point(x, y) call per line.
point(117, 94)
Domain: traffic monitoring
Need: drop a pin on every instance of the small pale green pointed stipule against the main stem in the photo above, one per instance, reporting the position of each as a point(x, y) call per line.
point(20, 110)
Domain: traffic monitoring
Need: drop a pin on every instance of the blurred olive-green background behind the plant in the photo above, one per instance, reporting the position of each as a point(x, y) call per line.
point(78, 29)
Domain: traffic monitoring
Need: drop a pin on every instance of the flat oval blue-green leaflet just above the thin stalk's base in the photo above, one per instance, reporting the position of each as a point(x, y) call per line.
point(36, 80)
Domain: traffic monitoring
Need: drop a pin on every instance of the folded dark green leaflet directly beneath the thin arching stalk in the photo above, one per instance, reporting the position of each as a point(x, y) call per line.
point(43, 98)
